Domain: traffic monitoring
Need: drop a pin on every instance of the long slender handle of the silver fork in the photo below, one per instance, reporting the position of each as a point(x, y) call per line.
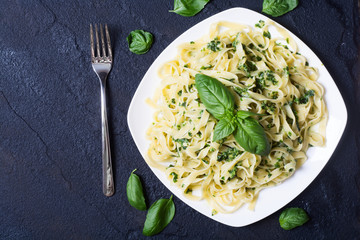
point(108, 179)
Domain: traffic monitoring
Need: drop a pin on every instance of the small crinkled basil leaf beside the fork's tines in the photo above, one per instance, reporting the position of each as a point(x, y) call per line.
point(140, 41)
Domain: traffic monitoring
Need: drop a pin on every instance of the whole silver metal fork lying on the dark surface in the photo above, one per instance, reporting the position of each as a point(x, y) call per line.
point(102, 66)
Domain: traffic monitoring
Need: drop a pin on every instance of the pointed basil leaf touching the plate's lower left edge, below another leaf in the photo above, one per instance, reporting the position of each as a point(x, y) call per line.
point(159, 216)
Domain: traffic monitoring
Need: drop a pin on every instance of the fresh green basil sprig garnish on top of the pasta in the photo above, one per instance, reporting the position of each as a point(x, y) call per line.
point(219, 101)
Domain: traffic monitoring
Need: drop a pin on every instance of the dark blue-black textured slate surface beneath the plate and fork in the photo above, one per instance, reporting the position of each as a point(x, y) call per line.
point(50, 147)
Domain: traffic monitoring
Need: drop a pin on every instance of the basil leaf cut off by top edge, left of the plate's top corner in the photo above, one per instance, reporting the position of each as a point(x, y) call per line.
point(188, 8)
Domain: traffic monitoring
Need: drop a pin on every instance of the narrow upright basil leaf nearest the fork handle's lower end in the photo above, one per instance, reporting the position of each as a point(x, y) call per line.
point(135, 193)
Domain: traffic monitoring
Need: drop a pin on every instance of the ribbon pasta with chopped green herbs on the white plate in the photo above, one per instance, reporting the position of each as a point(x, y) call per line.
point(267, 76)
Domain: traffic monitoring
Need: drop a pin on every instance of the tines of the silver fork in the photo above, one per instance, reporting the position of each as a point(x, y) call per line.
point(106, 54)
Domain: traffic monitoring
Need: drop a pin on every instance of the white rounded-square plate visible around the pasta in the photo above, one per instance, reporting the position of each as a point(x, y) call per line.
point(140, 117)
